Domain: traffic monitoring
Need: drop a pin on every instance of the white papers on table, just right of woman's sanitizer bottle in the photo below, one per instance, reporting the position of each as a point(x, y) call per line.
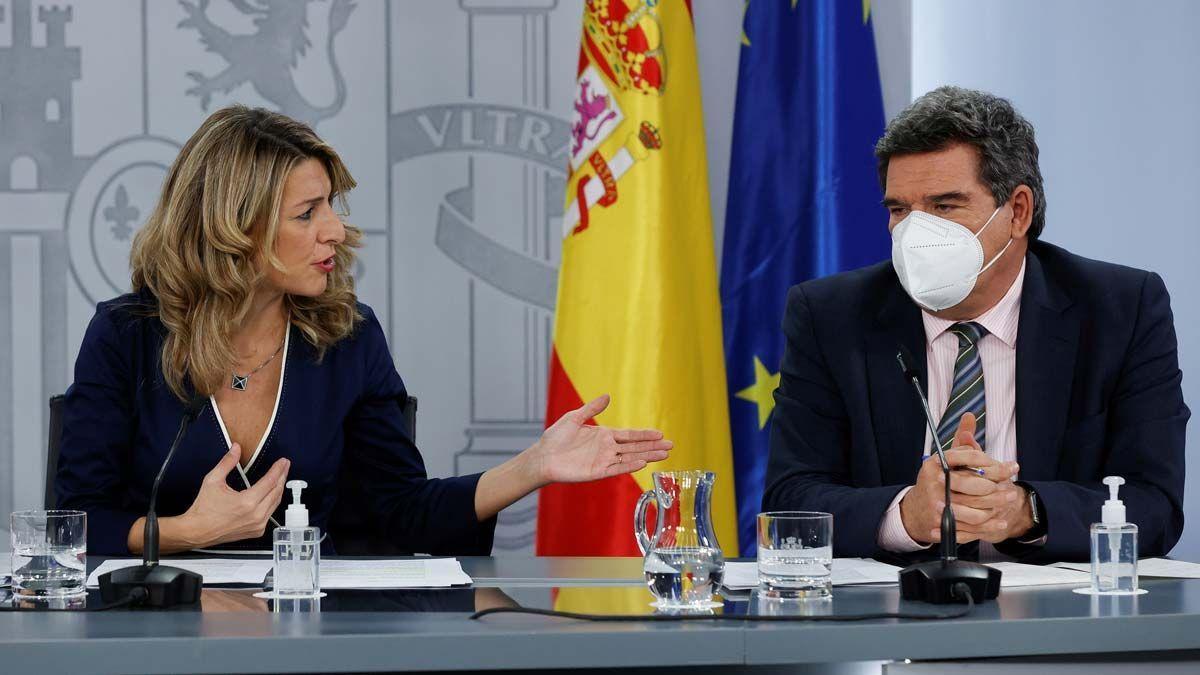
point(423, 574)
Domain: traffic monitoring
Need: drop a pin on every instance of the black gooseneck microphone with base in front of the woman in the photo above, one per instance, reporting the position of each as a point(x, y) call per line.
point(160, 586)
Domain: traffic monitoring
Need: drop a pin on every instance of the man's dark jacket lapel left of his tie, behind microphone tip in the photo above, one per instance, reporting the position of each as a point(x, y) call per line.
point(898, 416)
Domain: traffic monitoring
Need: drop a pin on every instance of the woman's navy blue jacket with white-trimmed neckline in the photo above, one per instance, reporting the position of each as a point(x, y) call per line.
point(340, 422)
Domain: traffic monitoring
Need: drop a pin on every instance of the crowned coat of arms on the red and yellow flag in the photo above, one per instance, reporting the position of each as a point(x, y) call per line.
point(622, 52)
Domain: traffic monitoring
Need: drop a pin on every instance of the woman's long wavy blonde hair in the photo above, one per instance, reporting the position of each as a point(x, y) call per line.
point(202, 252)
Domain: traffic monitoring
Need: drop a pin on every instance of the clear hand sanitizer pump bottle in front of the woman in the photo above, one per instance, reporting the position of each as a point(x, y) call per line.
point(297, 551)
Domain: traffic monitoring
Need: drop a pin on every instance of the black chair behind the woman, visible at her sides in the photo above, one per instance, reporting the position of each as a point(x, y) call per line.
point(353, 534)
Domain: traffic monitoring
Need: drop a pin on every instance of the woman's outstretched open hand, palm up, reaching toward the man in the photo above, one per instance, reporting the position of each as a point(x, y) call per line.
point(574, 452)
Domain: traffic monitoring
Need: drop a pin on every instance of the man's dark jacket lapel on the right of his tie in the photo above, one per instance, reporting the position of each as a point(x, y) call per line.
point(1047, 342)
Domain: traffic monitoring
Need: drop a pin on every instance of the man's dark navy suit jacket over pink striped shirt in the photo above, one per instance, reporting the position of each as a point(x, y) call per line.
point(1097, 395)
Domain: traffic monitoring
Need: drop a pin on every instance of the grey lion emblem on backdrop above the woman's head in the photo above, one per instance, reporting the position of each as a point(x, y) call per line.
point(267, 59)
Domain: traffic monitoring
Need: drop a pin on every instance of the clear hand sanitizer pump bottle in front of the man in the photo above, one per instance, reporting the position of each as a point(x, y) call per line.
point(1114, 547)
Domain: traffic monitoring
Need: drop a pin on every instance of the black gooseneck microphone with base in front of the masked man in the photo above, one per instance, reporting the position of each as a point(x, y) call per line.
point(937, 582)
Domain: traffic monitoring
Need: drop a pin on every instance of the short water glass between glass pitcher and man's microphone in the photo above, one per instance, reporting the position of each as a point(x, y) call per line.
point(796, 554)
